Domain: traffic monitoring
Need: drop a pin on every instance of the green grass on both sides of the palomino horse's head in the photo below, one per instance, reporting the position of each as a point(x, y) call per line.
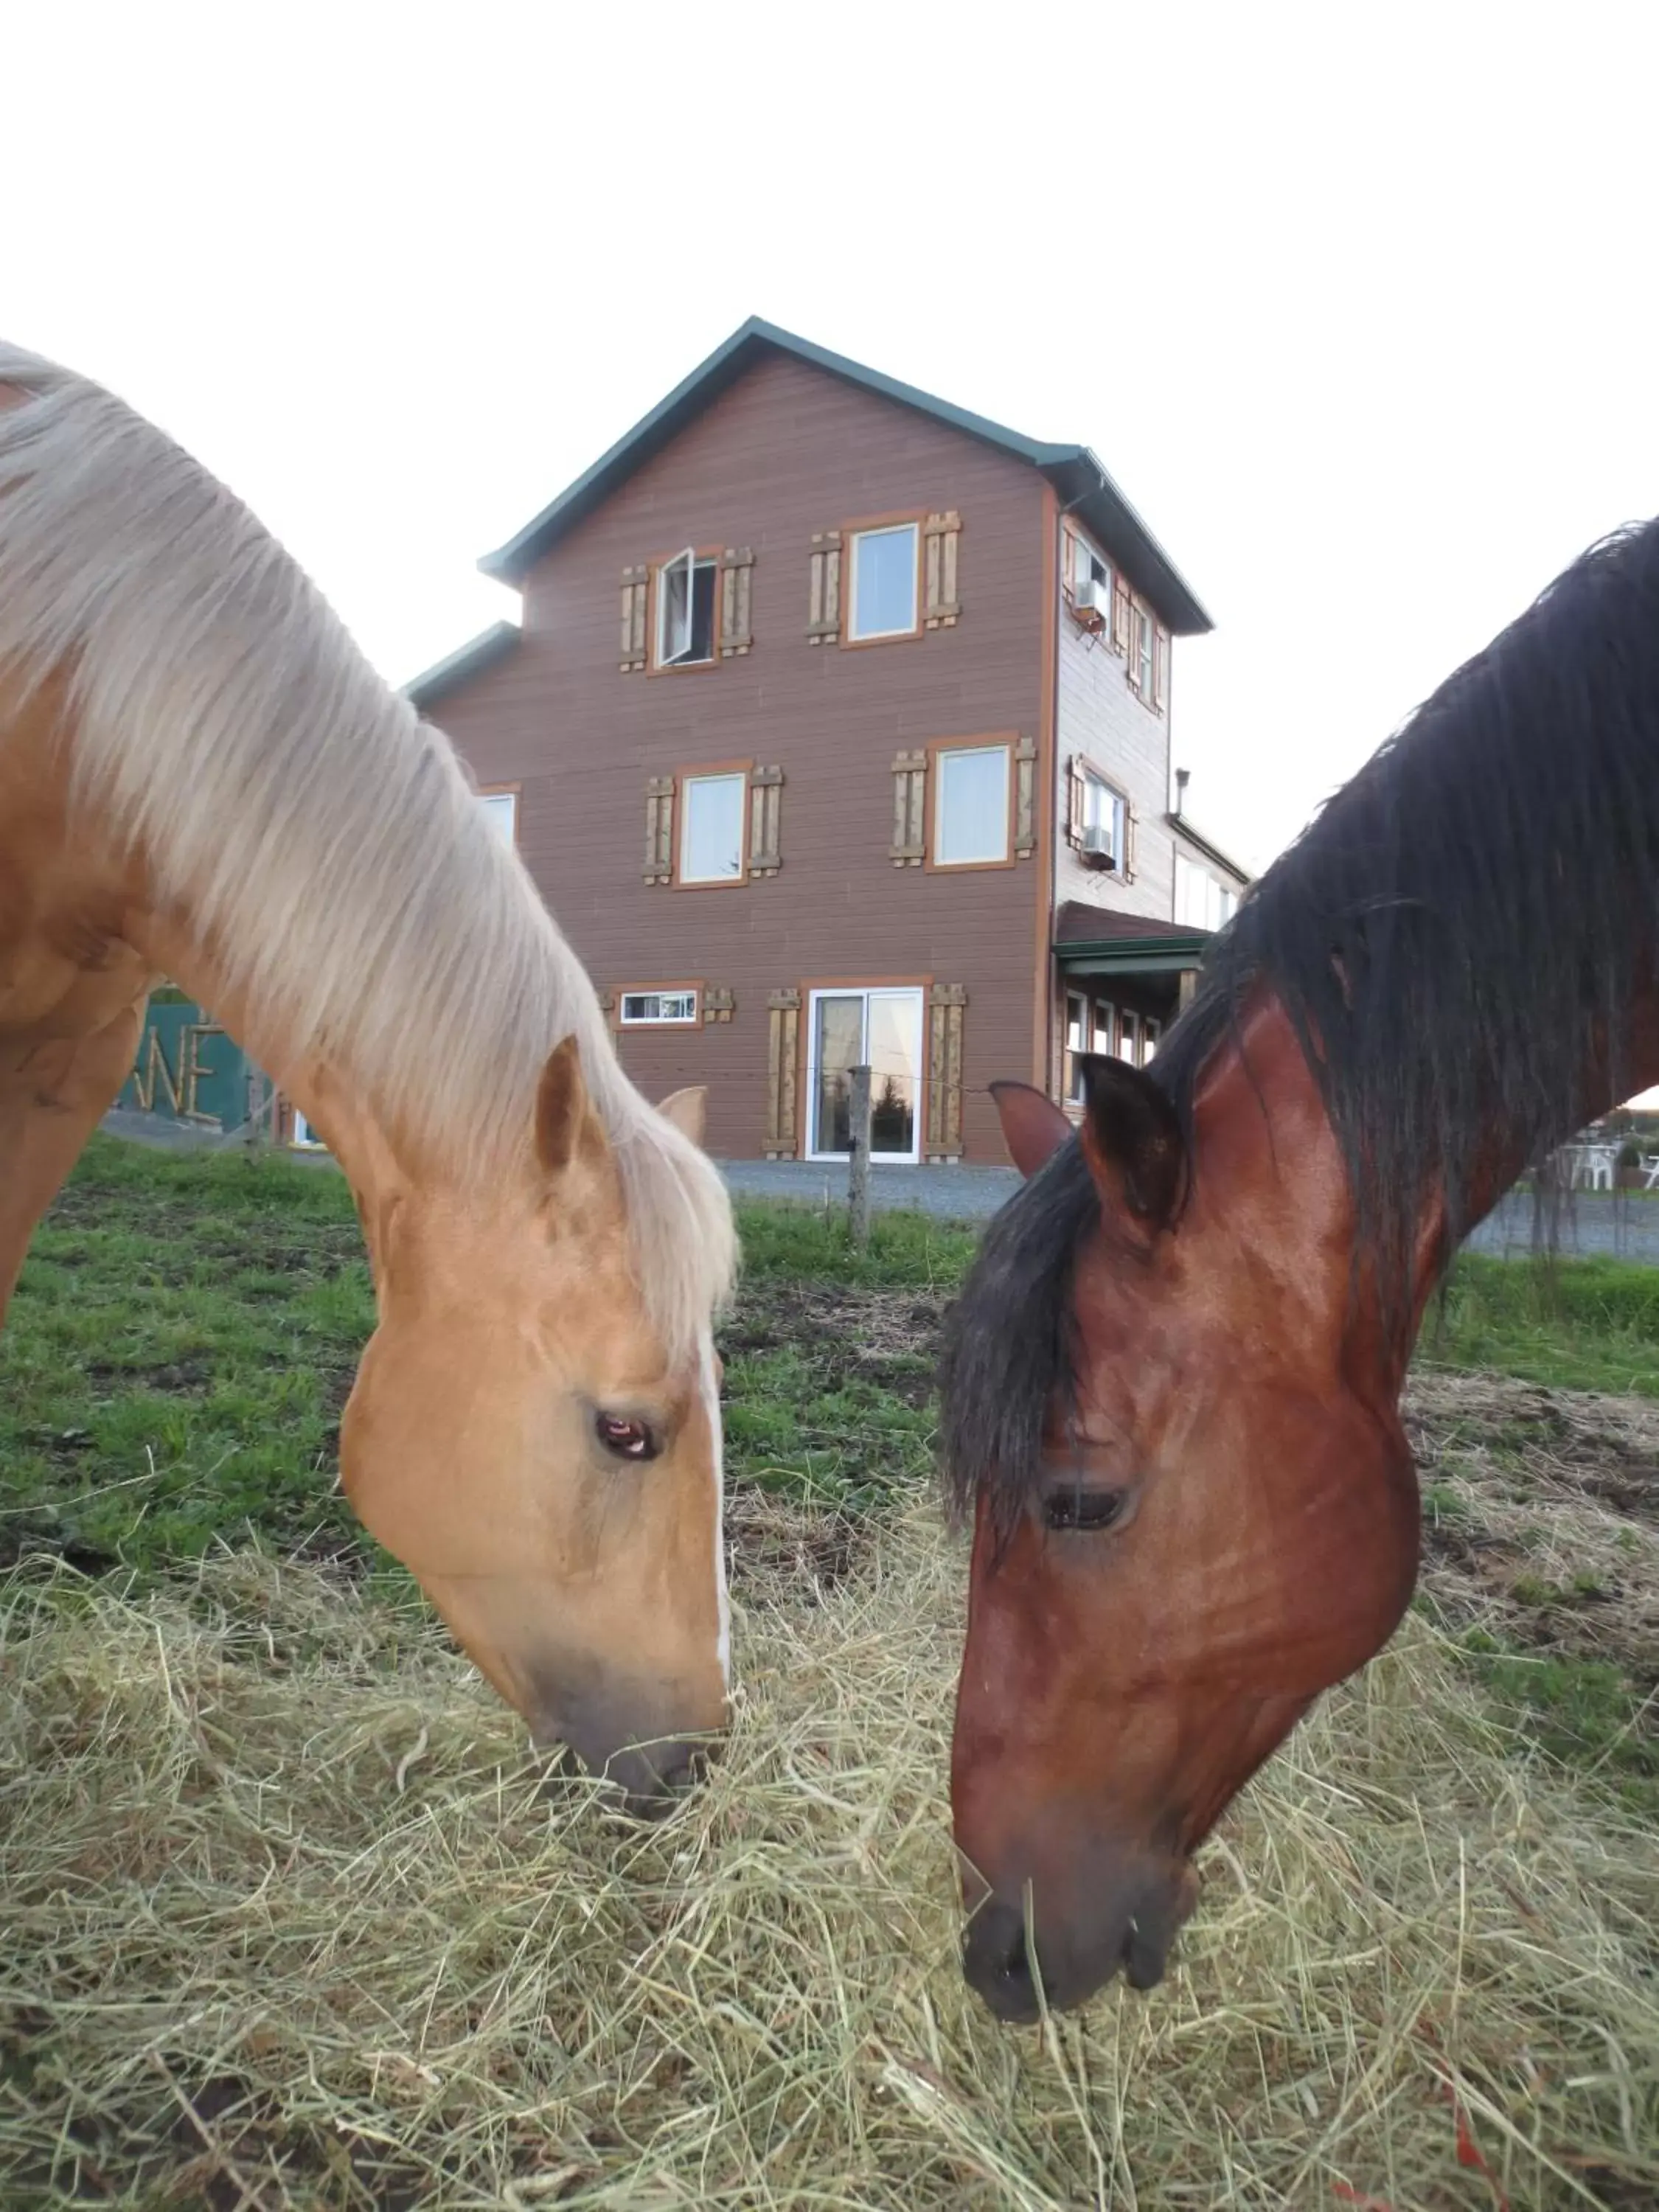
point(187, 1328)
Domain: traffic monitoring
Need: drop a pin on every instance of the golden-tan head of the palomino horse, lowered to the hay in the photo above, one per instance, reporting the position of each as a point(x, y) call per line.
point(521, 1439)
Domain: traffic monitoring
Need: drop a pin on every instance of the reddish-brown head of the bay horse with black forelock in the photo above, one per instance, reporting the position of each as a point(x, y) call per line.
point(1207, 1519)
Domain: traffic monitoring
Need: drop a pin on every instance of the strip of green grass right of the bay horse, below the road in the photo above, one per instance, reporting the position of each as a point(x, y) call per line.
point(1585, 1324)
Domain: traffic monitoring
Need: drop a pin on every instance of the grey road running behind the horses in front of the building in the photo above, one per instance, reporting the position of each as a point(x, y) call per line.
point(1594, 1222)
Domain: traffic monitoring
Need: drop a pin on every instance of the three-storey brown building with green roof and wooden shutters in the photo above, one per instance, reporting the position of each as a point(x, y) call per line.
point(837, 729)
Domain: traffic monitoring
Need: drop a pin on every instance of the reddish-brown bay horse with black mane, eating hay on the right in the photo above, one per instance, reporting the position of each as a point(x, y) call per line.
point(1173, 1379)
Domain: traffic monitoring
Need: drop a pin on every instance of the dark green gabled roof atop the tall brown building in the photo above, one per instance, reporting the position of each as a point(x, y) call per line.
point(1083, 483)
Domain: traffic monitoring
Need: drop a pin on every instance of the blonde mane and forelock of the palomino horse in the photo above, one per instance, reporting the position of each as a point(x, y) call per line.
point(309, 822)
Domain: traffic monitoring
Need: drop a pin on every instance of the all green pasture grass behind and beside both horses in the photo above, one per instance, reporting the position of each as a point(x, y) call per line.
point(187, 1331)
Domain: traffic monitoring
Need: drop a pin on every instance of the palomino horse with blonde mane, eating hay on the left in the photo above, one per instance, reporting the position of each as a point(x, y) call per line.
point(200, 778)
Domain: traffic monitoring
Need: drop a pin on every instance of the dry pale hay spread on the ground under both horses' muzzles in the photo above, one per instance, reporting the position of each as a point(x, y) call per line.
point(286, 1923)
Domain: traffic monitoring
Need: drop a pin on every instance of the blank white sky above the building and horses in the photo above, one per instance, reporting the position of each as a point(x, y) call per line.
point(1357, 304)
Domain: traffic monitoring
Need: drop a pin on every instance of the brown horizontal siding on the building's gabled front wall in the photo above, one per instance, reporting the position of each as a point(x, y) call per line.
point(782, 455)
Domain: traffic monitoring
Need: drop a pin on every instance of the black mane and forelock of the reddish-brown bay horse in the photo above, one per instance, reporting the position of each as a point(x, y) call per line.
point(1461, 928)
